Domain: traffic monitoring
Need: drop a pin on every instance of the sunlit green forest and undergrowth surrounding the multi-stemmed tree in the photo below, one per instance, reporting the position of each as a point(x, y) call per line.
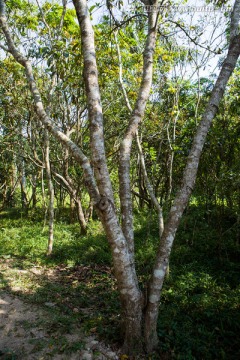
point(47, 218)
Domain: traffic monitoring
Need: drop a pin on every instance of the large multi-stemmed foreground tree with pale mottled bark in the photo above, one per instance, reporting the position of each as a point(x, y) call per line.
point(139, 314)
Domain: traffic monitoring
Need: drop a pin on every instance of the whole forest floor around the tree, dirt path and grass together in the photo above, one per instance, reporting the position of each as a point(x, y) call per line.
point(70, 302)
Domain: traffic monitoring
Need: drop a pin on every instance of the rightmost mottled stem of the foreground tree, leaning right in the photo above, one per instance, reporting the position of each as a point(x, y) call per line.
point(184, 193)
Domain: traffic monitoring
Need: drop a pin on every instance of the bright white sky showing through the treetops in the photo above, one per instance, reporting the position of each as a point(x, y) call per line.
point(192, 14)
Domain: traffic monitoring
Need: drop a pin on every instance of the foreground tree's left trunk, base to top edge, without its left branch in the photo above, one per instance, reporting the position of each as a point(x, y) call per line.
point(131, 297)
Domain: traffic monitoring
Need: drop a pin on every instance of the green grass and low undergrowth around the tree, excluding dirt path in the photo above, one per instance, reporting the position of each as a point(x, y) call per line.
point(199, 313)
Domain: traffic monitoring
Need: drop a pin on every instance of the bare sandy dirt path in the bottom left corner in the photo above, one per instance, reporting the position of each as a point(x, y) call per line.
point(22, 336)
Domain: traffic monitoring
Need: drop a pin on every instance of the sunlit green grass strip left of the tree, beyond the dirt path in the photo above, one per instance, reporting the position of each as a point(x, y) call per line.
point(25, 238)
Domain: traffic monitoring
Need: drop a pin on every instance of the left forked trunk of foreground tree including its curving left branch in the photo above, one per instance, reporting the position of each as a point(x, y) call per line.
point(101, 194)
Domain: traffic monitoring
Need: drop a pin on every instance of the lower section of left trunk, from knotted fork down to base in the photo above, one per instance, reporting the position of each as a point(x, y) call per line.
point(130, 295)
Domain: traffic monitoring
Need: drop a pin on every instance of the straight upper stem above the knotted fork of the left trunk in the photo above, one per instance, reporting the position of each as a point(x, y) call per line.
point(95, 114)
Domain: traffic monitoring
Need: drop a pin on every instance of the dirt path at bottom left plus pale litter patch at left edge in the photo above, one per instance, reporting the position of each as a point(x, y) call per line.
point(28, 331)
